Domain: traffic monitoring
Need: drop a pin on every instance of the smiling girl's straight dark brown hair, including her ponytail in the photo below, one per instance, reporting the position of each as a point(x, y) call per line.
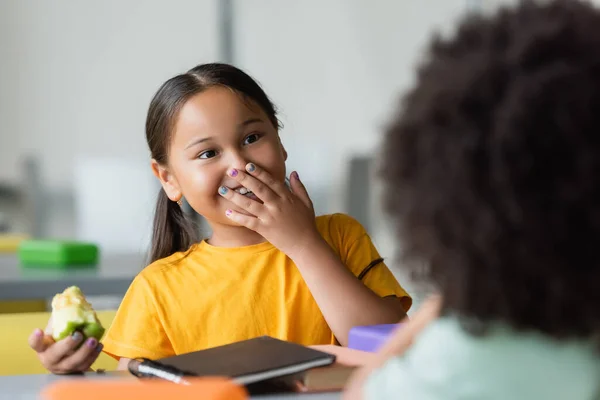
point(172, 231)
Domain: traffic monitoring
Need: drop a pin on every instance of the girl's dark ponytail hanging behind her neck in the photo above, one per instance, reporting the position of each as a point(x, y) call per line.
point(171, 232)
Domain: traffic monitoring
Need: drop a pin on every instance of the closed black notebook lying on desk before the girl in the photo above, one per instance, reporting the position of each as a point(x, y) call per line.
point(250, 361)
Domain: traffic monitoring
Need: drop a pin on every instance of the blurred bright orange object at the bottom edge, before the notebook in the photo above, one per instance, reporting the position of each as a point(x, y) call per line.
point(199, 388)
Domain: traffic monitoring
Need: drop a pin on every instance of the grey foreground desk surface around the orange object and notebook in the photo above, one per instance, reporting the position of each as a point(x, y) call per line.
point(28, 387)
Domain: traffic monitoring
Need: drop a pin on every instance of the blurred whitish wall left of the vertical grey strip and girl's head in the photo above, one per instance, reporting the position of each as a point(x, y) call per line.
point(76, 76)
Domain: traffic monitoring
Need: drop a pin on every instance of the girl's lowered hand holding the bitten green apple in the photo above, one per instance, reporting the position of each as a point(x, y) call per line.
point(64, 356)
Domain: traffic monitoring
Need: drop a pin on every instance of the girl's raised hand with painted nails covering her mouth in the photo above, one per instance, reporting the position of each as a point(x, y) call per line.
point(286, 218)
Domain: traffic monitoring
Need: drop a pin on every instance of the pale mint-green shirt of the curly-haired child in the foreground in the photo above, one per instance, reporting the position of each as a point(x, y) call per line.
point(447, 363)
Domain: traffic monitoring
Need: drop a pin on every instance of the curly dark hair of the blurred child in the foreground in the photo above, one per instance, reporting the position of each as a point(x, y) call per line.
point(492, 169)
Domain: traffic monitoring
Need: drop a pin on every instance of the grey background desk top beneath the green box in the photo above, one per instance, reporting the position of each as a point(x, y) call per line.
point(112, 276)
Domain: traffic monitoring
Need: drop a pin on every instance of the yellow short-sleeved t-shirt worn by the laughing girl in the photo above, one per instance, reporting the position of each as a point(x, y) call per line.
point(217, 295)
